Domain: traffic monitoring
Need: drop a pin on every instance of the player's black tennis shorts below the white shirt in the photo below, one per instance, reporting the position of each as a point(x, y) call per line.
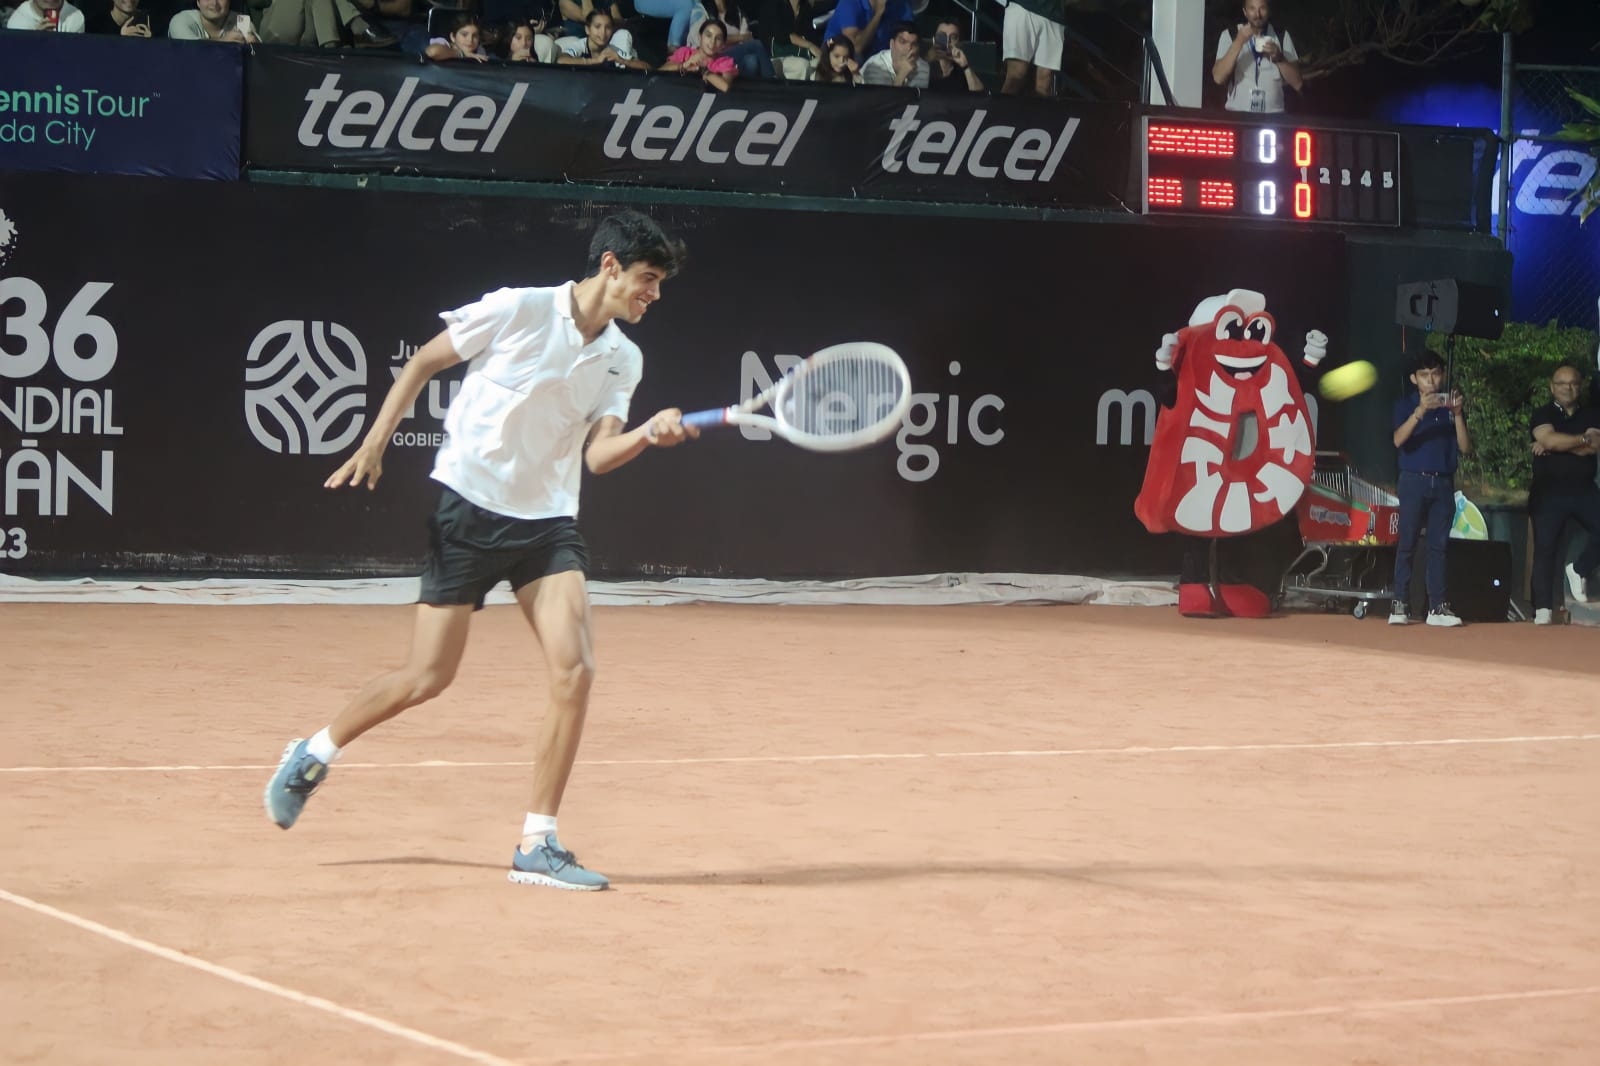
point(471, 550)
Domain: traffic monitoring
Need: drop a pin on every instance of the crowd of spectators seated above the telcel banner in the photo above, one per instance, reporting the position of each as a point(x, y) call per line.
point(838, 42)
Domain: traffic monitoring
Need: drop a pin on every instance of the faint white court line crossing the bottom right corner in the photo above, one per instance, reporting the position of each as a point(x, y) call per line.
point(1111, 1025)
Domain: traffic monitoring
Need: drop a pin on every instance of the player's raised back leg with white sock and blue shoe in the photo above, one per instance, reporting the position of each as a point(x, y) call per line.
point(438, 641)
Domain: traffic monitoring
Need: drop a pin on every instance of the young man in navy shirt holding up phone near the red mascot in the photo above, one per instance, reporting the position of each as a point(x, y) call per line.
point(1431, 433)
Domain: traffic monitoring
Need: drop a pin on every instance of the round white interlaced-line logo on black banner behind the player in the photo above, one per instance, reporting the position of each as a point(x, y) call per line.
point(303, 395)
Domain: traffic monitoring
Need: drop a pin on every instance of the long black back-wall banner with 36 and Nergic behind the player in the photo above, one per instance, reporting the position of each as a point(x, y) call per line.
point(169, 406)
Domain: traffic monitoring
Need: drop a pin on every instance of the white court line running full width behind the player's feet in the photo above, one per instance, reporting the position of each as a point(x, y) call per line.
point(697, 761)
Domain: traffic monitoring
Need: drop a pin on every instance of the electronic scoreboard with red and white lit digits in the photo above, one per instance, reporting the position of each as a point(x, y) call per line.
point(1289, 172)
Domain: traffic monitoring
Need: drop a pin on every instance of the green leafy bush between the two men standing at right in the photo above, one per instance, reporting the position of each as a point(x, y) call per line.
point(1503, 383)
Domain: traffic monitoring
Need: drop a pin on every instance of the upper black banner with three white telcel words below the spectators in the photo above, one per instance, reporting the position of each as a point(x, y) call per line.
point(538, 124)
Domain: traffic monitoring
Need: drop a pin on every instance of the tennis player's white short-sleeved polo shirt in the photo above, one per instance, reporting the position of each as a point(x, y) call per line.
point(516, 431)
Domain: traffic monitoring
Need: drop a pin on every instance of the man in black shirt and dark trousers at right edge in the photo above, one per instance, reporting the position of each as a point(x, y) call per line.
point(1566, 441)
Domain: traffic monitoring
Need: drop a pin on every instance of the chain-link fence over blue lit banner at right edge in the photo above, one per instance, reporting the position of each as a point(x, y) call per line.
point(1558, 260)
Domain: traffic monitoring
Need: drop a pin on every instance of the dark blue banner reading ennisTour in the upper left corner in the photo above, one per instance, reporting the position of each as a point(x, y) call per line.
point(121, 105)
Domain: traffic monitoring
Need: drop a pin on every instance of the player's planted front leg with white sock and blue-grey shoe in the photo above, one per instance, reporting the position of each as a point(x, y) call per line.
point(558, 607)
